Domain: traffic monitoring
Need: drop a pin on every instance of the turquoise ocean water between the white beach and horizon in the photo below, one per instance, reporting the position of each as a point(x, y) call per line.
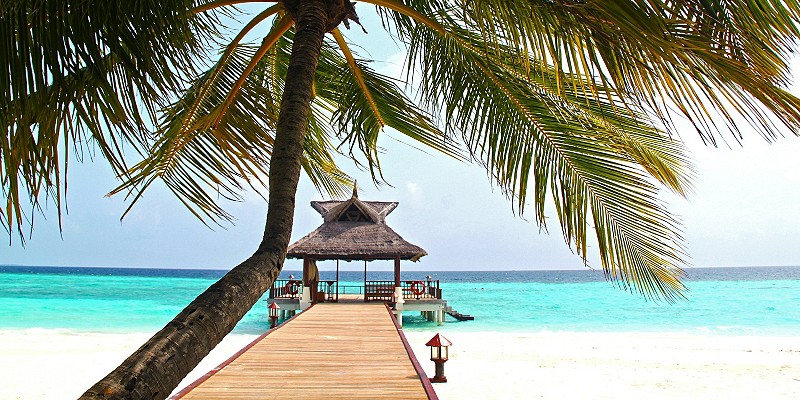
point(728, 301)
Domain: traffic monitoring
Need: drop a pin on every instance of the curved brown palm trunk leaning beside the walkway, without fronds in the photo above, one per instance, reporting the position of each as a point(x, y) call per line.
point(156, 368)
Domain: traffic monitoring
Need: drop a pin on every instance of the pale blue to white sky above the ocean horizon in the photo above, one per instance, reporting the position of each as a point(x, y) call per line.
point(743, 212)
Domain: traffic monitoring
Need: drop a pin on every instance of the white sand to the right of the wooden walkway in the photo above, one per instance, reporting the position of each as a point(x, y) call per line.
point(616, 366)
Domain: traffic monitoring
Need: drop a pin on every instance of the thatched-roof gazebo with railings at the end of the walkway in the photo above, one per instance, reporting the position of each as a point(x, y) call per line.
point(356, 230)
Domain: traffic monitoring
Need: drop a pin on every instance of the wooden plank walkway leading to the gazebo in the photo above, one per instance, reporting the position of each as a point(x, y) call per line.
point(330, 351)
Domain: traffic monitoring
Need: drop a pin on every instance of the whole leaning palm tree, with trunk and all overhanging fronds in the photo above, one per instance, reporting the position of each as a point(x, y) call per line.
point(560, 99)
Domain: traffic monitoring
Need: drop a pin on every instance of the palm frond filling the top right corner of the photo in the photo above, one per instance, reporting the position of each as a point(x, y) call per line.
point(714, 60)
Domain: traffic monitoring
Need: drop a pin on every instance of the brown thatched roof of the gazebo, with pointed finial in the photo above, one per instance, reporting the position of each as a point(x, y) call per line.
point(354, 230)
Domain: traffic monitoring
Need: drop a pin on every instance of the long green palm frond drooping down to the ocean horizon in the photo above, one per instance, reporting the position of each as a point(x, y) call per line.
point(591, 154)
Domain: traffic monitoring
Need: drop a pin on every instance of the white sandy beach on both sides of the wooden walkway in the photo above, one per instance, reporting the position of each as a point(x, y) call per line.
point(52, 364)
